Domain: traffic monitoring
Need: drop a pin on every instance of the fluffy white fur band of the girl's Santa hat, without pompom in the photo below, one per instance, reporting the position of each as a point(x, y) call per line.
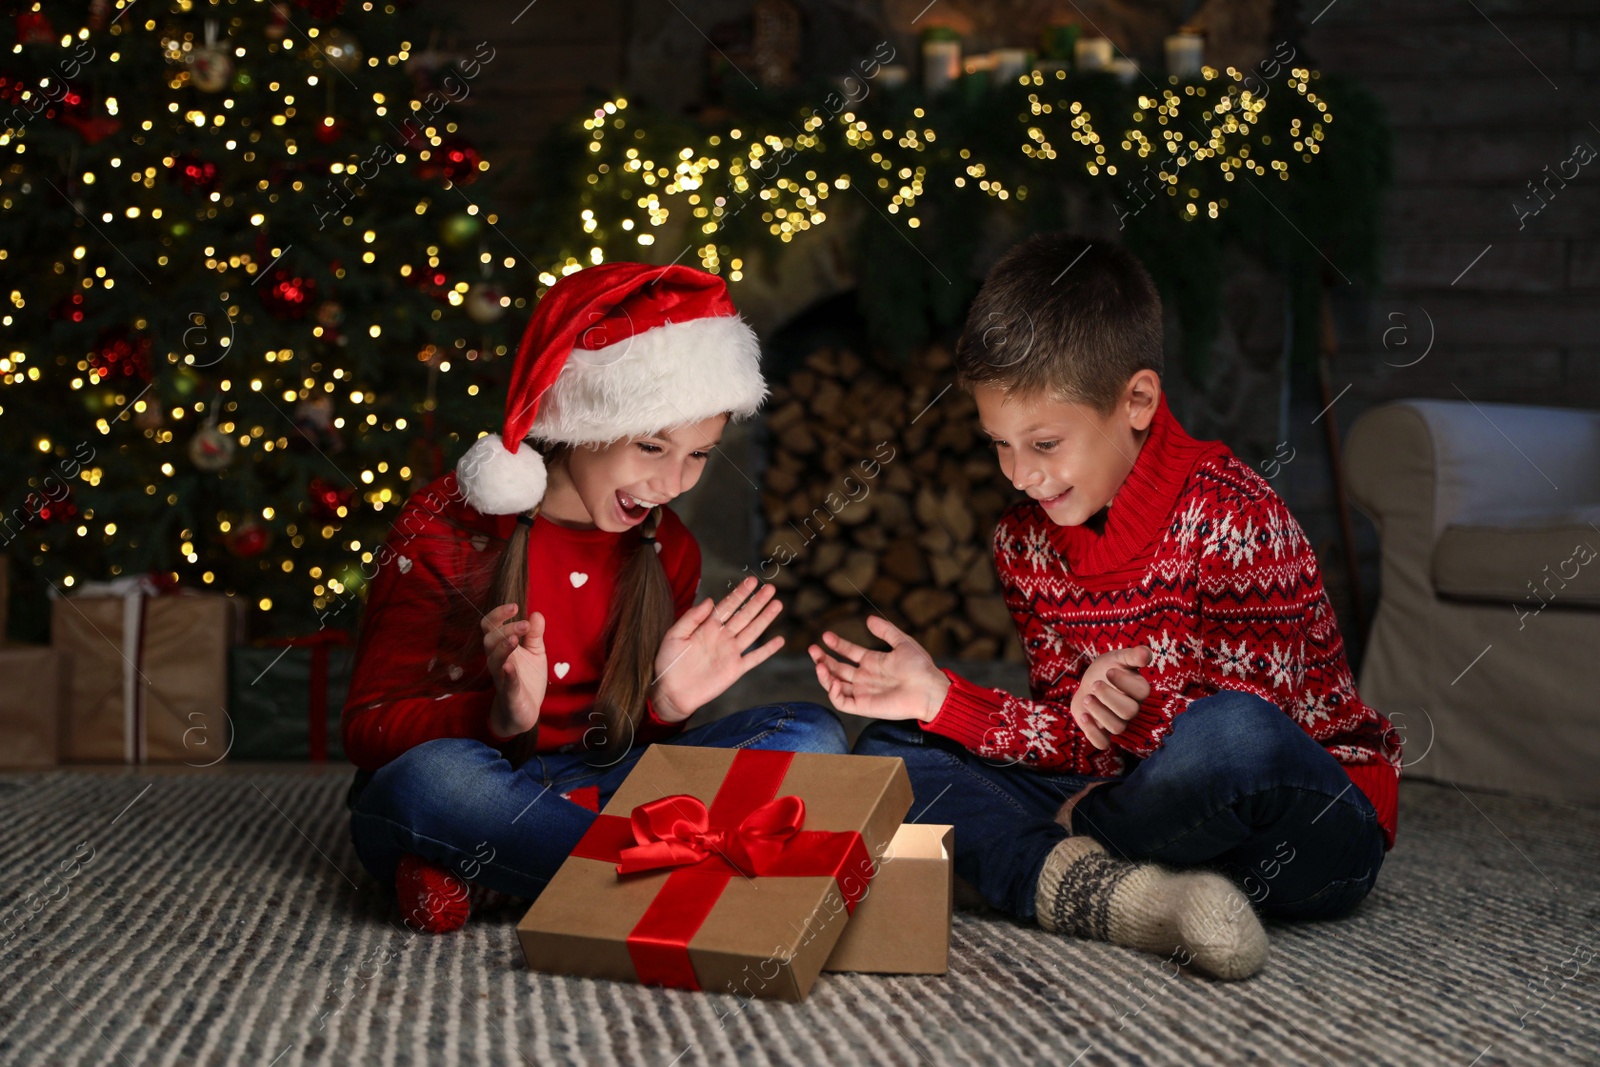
point(674, 375)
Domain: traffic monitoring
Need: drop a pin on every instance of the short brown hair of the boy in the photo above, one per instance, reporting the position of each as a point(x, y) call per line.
point(1065, 318)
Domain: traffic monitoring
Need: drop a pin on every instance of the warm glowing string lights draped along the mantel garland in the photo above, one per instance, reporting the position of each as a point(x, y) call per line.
point(1198, 137)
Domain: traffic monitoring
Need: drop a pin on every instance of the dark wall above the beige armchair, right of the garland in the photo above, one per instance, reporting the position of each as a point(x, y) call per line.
point(1482, 97)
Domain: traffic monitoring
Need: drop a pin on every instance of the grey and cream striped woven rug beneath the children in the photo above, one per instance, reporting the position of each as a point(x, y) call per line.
point(226, 921)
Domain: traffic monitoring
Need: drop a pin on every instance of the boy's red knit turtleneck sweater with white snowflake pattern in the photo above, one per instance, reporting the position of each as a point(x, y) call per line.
point(1201, 561)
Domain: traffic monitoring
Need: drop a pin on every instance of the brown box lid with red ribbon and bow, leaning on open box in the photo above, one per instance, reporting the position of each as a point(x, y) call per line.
point(721, 869)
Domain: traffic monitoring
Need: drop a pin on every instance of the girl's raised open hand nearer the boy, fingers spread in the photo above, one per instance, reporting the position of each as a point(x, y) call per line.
point(705, 652)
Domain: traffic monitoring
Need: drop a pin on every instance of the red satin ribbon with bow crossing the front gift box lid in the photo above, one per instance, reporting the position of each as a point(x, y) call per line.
point(748, 831)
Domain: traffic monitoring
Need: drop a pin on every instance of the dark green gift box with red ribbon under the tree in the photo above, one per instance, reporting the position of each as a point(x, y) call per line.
point(286, 697)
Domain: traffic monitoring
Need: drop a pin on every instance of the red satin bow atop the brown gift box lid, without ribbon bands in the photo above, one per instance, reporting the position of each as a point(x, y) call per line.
point(676, 833)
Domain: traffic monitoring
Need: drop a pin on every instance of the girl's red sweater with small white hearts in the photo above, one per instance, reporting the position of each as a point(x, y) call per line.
point(420, 665)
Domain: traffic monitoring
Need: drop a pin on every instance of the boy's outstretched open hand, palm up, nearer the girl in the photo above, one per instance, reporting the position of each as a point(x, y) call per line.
point(898, 684)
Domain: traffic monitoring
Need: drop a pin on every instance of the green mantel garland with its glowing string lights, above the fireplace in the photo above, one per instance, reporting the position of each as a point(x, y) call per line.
point(1289, 169)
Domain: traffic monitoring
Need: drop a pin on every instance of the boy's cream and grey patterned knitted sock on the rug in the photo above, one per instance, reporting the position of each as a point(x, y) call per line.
point(1194, 916)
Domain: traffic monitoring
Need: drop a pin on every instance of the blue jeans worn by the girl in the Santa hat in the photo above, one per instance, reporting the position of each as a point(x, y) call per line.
point(462, 805)
